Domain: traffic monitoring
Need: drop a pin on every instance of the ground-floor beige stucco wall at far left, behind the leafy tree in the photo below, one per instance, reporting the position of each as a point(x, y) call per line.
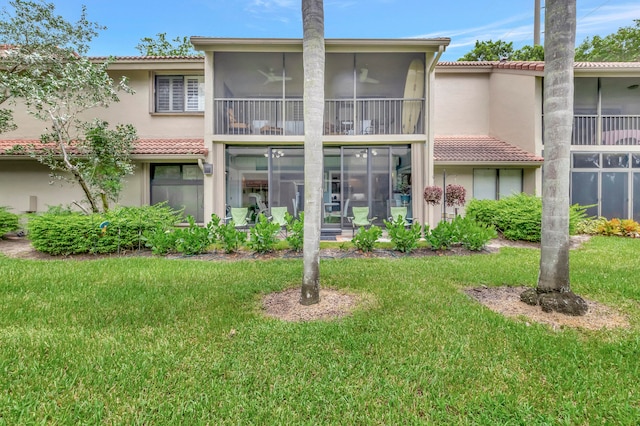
point(21, 179)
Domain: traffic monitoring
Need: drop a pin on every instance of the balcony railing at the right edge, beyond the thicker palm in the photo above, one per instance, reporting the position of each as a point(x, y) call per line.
point(606, 130)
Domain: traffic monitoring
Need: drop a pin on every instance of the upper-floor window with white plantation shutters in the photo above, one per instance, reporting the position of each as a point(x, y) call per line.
point(179, 93)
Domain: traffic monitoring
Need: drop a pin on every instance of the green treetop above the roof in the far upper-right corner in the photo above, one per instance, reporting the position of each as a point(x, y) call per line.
point(621, 46)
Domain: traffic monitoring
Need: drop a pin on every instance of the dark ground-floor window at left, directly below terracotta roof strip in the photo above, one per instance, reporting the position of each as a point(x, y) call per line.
point(180, 186)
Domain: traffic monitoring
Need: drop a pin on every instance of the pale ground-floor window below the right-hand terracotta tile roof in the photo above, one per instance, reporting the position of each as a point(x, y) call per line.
point(492, 184)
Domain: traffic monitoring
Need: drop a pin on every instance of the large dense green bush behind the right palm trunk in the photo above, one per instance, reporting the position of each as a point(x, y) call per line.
point(518, 217)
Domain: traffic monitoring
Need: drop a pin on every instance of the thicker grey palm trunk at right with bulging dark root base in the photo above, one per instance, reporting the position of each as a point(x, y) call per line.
point(553, 292)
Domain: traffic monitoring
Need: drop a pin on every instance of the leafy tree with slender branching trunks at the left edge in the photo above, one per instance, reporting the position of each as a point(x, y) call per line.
point(44, 68)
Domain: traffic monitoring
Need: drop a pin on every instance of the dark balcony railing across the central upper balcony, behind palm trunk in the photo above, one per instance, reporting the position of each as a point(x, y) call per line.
point(379, 116)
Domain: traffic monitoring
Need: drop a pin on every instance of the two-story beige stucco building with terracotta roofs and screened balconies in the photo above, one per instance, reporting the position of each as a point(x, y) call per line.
point(227, 130)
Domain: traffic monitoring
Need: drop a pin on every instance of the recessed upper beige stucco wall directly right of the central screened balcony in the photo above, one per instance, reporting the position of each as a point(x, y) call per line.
point(462, 104)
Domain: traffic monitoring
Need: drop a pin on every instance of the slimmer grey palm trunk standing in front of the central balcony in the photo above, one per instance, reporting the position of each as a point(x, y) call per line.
point(313, 57)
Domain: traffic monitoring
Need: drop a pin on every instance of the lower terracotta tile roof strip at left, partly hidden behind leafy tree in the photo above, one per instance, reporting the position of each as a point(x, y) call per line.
point(167, 147)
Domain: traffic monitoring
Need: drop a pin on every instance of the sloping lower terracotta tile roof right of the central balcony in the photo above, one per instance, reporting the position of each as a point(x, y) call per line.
point(481, 149)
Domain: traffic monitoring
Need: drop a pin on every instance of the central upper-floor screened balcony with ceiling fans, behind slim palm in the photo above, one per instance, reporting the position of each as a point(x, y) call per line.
point(261, 93)
